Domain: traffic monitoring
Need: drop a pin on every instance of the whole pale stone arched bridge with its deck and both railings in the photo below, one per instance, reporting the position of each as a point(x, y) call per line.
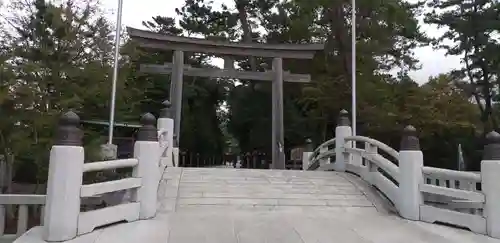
point(376, 195)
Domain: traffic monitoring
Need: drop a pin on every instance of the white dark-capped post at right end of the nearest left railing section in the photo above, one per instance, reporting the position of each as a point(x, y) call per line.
point(147, 152)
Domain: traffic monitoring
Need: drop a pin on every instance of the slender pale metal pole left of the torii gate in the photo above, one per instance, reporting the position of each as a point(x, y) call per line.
point(115, 70)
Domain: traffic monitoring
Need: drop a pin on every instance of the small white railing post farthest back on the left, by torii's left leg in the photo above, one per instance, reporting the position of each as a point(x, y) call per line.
point(166, 123)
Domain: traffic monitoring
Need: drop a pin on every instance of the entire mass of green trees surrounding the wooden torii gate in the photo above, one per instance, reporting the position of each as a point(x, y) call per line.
point(59, 57)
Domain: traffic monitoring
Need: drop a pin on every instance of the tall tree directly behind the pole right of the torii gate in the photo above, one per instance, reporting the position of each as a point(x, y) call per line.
point(387, 32)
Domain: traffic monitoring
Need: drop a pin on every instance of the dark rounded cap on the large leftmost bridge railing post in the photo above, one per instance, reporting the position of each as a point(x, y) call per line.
point(68, 132)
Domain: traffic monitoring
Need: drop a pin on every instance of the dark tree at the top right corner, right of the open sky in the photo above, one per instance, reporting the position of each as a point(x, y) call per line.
point(472, 33)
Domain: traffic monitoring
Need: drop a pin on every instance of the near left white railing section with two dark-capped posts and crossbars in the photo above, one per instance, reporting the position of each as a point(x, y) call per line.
point(63, 218)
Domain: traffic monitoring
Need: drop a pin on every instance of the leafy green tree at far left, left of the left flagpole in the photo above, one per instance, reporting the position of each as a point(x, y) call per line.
point(59, 58)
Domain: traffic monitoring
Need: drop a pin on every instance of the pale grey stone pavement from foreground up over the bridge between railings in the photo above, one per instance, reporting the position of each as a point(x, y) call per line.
point(210, 205)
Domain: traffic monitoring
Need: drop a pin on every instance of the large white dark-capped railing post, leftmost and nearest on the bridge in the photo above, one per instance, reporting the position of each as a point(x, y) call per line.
point(62, 205)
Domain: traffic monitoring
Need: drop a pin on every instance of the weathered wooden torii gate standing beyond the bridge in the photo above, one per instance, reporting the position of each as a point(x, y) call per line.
point(148, 39)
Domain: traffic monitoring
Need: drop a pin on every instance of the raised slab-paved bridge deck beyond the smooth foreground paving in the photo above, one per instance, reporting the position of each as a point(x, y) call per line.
point(263, 189)
